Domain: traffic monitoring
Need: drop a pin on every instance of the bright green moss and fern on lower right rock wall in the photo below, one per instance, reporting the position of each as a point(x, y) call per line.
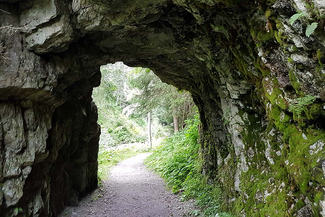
point(297, 166)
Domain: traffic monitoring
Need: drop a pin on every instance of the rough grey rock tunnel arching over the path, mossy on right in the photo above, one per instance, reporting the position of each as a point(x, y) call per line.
point(256, 77)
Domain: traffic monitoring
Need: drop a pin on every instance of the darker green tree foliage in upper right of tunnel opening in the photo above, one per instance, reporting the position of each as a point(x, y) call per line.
point(165, 100)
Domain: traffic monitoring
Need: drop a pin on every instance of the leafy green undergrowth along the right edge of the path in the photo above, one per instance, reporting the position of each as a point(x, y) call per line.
point(178, 162)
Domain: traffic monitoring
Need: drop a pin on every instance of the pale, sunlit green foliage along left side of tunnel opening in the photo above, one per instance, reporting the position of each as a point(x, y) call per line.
point(111, 98)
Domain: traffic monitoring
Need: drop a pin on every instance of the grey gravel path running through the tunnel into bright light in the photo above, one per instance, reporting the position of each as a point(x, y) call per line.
point(131, 191)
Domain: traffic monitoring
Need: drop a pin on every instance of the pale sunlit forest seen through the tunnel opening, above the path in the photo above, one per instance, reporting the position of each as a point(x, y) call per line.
point(126, 96)
